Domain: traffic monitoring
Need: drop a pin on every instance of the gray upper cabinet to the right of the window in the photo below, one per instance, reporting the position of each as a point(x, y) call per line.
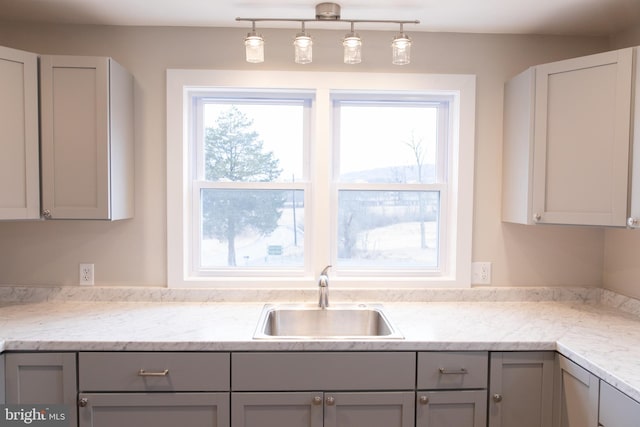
point(567, 142)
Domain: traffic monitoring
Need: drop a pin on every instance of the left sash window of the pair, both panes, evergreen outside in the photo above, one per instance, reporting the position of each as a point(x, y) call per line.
point(248, 191)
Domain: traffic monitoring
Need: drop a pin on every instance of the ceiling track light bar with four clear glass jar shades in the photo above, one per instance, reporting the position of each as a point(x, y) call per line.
point(352, 43)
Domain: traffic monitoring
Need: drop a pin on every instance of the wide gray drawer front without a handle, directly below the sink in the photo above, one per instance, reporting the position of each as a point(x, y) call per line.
point(323, 371)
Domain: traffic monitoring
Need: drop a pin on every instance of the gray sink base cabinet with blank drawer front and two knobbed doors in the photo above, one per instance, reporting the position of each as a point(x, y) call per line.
point(323, 389)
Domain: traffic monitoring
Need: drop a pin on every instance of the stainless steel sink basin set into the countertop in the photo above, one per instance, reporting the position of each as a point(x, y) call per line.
point(340, 321)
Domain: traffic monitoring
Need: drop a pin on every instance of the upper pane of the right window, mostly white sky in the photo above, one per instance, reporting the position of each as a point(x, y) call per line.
point(381, 143)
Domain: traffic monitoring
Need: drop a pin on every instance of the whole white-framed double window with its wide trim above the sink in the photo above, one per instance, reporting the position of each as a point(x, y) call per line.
point(272, 176)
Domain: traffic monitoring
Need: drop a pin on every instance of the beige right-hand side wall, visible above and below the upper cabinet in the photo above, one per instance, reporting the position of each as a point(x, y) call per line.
point(622, 247)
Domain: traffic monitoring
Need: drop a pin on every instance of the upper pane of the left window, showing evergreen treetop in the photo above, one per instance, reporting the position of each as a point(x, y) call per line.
point(253, 142)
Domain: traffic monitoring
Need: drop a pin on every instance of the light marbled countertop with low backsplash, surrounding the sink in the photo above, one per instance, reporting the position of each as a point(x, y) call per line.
point(598, 330)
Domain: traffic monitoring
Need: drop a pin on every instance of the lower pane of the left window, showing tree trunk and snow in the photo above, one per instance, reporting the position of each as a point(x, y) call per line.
point(252, 228)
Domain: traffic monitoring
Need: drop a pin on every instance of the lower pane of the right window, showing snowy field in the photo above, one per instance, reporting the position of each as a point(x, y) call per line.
point(388, 228)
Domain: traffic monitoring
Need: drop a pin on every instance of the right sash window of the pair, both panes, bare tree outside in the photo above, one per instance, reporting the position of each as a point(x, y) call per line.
point(391, 179)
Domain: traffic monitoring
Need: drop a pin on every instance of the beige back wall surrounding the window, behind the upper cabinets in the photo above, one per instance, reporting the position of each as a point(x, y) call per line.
point(133, 252)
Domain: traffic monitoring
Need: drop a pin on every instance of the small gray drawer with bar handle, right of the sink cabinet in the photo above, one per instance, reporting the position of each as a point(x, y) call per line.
point(452, 370)
